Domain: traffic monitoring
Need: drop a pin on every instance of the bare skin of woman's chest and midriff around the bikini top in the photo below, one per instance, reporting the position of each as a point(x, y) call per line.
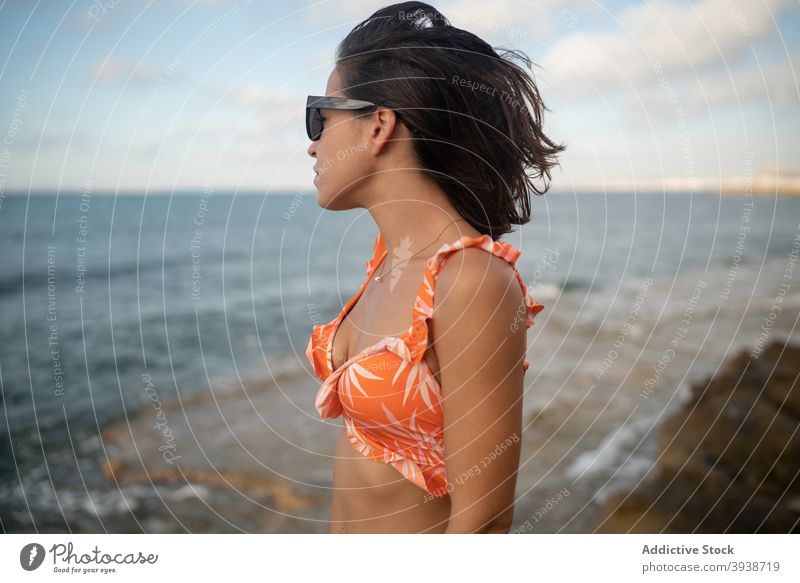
point(370, 496)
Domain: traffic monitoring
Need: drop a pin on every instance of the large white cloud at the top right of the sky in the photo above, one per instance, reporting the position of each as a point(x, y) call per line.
point(679, 37)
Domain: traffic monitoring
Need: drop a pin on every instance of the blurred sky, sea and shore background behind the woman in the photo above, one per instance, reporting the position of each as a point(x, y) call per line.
point(164, 259)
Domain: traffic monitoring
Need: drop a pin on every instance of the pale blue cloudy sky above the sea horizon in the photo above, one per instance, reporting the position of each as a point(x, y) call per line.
point(135, 96)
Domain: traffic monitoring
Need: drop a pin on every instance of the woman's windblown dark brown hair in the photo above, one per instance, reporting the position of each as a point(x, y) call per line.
point(475, 115)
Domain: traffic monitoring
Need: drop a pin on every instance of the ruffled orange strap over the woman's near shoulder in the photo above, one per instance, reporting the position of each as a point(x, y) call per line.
point(423, 306)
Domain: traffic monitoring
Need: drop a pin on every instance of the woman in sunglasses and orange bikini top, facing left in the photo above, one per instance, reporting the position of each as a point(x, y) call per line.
point(428, 128)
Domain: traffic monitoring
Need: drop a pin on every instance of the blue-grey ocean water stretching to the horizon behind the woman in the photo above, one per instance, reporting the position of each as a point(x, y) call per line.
point(104, 299)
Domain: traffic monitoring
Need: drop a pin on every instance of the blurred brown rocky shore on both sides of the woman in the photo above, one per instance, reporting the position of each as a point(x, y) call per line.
point(256, 458)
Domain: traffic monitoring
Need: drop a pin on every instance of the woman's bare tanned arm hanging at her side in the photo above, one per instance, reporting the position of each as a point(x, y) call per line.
point(481, 355)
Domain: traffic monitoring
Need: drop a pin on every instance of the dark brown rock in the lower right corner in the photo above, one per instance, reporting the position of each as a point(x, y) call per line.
point(728, 459)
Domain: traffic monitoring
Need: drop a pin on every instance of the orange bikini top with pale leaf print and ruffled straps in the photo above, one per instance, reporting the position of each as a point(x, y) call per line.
point(387, 395)
